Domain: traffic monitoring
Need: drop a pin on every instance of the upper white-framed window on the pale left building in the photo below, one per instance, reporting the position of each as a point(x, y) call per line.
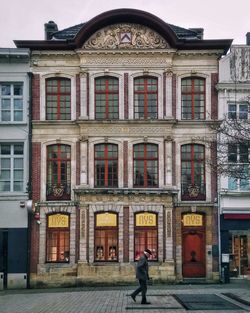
point(11, 102)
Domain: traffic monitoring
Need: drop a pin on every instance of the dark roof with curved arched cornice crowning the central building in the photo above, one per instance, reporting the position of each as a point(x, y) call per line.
point(73, 37)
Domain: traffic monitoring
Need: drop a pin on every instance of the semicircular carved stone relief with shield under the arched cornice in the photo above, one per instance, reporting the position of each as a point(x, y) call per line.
point(126, 36)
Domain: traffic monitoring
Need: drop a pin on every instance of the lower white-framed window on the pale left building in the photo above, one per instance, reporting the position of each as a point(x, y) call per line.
point(11, 167)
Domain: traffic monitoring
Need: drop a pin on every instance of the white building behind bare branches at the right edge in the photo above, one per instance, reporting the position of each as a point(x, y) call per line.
point(234, 95)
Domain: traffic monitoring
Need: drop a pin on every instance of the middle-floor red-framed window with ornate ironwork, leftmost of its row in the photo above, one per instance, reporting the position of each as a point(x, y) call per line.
point(58, 172)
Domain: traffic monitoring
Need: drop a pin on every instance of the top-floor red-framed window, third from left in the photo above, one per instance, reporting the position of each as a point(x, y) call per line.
point(145, 98)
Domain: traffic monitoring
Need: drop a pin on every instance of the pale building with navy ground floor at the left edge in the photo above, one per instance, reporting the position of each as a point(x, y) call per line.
point(14, 166)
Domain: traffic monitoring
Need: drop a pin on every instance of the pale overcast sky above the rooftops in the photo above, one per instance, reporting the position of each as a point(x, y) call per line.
point(221, 19)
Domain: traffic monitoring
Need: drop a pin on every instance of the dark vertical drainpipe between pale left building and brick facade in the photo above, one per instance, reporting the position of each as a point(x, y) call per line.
point(30, 177)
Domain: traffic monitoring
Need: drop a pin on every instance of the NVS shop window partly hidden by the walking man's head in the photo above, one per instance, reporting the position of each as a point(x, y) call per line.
point(146, 235)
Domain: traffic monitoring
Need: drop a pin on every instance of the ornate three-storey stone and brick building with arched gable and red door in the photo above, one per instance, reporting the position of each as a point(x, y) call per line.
point(121, 105)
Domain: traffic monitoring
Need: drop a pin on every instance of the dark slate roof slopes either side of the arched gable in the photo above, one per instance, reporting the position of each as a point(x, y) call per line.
point(71, 32)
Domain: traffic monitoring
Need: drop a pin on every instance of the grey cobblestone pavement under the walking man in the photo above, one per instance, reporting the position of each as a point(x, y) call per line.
point(117, 299)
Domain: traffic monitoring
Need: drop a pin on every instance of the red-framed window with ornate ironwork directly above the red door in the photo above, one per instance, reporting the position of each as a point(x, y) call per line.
point(193, 185)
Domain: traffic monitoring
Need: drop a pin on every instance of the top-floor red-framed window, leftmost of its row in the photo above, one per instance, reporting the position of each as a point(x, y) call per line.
point(58, 93)
